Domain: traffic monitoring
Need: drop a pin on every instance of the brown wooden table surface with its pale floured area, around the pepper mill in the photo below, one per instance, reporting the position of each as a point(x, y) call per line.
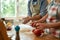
point(28, 35)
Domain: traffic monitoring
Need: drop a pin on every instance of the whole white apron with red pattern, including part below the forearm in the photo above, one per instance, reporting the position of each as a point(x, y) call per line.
point(54, 16)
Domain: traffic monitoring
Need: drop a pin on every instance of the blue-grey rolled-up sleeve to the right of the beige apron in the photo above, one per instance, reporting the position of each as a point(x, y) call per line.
point(43, 5)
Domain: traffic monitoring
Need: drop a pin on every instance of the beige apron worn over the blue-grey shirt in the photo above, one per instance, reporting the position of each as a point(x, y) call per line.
point(35, 7)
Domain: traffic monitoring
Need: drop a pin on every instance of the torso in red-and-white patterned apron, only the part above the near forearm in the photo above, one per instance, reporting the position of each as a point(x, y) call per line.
point(54, 12)
